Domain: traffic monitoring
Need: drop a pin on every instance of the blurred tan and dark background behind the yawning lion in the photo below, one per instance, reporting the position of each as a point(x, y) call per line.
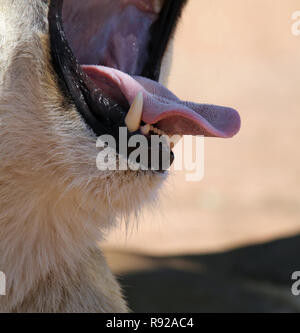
point(229, 242)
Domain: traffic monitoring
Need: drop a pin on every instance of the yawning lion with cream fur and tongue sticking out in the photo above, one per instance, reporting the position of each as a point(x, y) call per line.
point(70, 72)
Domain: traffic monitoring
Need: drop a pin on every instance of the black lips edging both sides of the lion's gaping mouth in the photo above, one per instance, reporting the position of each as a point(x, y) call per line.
point(103, 115)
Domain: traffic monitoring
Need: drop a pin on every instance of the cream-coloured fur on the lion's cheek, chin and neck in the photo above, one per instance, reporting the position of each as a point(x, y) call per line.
point(55, 206)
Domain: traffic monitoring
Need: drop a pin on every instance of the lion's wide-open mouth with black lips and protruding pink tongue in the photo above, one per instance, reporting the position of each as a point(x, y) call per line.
point(108, 52)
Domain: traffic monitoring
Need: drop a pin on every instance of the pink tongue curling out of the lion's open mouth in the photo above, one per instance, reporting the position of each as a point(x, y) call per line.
point(163, 108)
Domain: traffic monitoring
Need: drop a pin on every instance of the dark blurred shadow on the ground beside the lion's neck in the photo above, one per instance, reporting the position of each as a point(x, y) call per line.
point(250, 279)
